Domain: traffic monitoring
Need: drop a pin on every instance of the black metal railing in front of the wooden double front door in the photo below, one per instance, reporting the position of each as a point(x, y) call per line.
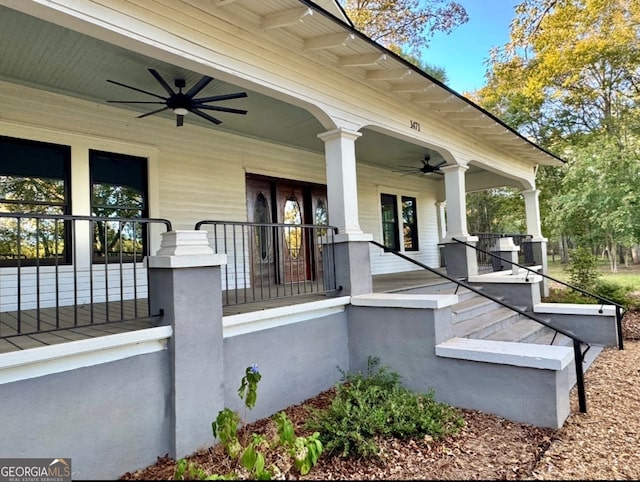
point(267, 261)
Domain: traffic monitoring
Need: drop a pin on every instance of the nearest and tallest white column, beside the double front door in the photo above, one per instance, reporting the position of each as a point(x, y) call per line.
point(342, 187)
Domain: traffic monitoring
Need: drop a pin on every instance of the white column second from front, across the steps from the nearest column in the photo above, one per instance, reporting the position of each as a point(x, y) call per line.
point(455, 193)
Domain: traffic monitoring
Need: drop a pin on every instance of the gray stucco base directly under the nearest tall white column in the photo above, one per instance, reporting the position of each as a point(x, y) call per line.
point(353, 268)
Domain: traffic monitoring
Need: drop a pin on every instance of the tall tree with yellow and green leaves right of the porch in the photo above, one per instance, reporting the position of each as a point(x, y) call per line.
point(569, 78)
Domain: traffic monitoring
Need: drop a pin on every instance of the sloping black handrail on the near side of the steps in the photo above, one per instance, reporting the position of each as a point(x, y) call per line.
point(577, 342)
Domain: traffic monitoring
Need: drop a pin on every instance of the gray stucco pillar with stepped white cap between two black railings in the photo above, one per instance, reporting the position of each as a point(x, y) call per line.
point(187, 288)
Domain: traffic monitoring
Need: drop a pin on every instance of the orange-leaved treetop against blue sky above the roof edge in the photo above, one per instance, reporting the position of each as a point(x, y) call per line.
point(404, 24)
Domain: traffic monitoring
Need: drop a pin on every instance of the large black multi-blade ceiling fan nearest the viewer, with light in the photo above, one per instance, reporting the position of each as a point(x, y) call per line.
point(181, 103)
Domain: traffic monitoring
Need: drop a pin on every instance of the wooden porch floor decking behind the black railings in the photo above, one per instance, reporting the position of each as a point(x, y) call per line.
point(93, 323)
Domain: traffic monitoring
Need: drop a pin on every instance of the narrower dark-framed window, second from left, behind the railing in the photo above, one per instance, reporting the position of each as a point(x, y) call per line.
point(118, 190)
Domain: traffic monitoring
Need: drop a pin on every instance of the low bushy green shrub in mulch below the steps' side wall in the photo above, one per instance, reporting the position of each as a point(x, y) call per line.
point(375, 404)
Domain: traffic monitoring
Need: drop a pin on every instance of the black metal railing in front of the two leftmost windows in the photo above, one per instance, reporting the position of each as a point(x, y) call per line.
point(60, 272)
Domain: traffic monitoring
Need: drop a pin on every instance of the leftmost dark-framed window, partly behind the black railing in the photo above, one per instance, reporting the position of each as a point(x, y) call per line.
point(34, 179)
